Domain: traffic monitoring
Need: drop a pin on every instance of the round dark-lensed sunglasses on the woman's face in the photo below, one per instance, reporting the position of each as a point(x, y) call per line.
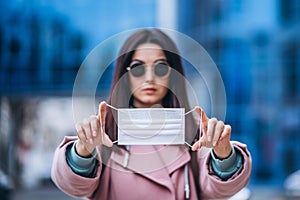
point(138, 69)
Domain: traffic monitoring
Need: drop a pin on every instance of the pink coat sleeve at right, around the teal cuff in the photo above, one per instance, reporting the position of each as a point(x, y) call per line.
point(212, 187)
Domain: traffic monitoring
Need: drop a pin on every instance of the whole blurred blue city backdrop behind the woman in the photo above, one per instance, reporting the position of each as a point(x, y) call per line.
point(255, 45)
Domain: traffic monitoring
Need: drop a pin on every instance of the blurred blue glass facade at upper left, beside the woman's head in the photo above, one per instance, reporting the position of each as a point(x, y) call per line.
point(44, 43)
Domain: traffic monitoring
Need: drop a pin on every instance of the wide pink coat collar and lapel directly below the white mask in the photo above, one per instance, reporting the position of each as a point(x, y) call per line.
point(154, 162)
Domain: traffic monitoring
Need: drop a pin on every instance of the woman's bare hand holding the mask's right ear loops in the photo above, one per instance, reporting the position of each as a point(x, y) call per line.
point(216, 135)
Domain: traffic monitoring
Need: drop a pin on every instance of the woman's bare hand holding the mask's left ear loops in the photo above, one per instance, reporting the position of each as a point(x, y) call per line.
point(91, 133)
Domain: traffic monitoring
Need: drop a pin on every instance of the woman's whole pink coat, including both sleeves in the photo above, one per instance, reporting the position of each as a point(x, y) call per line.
point(152, 173)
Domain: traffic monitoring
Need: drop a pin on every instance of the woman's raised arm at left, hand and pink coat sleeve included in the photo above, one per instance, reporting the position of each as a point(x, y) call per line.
point(81, 182)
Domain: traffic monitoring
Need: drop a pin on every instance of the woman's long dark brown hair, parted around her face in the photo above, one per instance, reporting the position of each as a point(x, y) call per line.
point(121, 95)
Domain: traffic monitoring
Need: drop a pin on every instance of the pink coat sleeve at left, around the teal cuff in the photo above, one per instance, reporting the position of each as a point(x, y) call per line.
point(65, 179)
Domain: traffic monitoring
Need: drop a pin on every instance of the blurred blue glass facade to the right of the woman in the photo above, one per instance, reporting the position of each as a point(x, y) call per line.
point(257, 51)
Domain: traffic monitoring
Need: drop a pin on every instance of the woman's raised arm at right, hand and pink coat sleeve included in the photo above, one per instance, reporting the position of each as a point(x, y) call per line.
point(217, 181)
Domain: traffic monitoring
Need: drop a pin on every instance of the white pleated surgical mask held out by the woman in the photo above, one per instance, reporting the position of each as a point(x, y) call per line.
point(151, 126)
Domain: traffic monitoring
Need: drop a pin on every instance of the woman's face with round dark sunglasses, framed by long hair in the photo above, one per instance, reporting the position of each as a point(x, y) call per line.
point(148, 86)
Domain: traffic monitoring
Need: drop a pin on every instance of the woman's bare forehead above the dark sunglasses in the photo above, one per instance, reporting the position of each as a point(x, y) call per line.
point(148, 51)
